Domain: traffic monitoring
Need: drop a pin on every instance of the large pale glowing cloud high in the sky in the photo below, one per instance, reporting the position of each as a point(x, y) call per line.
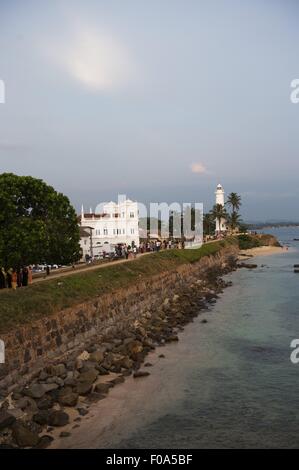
point(95, 59)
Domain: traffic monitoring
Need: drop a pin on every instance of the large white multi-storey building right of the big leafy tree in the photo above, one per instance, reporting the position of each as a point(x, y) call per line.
point(117, 223)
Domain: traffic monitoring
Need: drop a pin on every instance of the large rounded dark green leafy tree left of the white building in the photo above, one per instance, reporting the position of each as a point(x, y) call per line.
point(37, 224)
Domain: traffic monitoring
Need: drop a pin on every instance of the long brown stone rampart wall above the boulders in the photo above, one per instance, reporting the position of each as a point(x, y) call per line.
point(32, 346)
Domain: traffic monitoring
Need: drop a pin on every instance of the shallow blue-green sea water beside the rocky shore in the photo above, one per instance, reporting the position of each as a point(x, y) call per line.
point(230, 383)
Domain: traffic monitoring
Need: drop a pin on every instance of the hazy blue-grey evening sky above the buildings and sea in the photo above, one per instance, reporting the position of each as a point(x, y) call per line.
point(158, 100)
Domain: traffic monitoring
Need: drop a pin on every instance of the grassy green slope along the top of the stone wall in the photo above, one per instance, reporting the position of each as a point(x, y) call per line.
point(45, 297)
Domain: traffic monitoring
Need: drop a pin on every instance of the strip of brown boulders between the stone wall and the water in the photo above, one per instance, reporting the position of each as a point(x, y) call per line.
point(61, 394)
